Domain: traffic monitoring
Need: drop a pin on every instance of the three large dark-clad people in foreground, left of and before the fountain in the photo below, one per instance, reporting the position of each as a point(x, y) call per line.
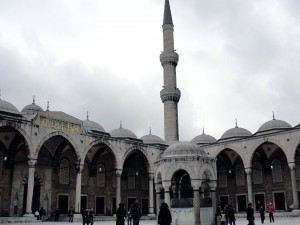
point(134, 213)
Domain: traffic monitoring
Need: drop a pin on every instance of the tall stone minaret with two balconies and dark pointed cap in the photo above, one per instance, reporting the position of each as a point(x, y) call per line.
point(170, 94)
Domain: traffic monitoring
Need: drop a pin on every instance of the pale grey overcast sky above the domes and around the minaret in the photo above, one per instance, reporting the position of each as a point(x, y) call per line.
point(238, 59)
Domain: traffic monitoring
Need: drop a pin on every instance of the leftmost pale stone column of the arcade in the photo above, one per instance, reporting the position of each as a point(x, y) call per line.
point(31, 165)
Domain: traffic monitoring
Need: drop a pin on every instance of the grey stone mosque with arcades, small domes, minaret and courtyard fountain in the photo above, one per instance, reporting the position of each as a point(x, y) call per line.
point(53, 160)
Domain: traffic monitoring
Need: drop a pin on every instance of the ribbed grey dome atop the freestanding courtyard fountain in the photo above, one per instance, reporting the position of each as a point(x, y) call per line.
point(183, 148)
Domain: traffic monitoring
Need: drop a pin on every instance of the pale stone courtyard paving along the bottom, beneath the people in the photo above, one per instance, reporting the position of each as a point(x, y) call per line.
point(240, 221)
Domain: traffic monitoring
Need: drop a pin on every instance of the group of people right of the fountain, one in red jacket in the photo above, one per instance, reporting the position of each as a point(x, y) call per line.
point(229, 217)
